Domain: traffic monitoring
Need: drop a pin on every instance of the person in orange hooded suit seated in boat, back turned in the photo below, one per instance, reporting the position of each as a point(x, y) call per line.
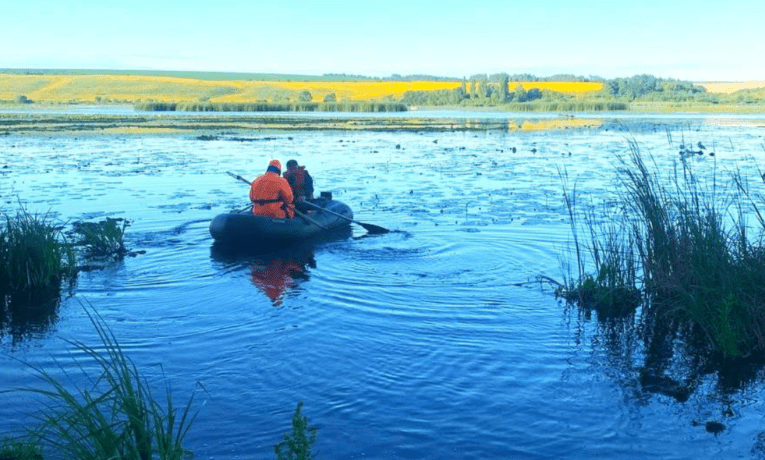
point(271, 195)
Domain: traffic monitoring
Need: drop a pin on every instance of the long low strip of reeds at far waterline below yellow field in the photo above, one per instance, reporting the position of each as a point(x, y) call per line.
point(272, 107)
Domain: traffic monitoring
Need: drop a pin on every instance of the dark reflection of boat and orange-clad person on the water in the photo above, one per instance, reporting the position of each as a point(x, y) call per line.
point(277, 271)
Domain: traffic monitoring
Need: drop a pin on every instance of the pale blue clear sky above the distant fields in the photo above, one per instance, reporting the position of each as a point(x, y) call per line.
point(699, 40)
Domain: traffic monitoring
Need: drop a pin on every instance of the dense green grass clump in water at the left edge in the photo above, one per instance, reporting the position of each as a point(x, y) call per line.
point(34, 254)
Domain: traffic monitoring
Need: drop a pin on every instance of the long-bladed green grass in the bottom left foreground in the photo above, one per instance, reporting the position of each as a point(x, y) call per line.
point(116, 416)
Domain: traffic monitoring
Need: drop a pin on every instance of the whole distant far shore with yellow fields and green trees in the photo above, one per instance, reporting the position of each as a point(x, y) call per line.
point(195, 91)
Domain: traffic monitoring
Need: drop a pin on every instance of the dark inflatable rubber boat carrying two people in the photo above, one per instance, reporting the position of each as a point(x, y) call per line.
point(246, 229)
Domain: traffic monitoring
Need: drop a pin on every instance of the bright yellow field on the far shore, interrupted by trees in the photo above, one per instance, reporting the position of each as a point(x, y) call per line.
point(58, 89)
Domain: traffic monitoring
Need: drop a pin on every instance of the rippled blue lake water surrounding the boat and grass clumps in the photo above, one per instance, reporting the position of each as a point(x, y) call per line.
point(434, 341)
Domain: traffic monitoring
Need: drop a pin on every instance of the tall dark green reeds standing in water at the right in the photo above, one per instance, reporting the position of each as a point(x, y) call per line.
point(683, 250)
